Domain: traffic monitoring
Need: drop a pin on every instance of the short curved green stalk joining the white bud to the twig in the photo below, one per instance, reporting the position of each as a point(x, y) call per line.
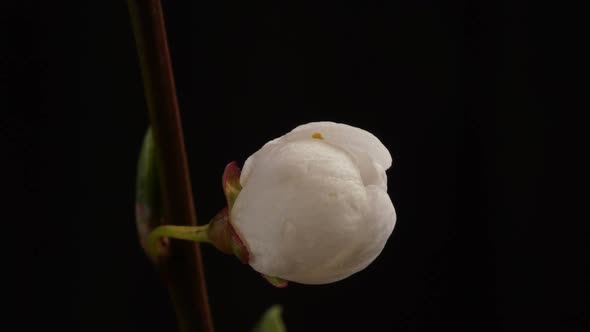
point(191, 233)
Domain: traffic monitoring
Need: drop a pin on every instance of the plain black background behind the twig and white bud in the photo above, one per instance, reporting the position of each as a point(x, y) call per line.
point(455, 91)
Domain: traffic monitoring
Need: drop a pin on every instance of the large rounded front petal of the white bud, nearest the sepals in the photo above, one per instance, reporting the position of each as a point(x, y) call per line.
point(302, 204)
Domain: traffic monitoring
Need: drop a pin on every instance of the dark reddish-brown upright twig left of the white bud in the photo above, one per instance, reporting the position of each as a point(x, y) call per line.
point(182, 270)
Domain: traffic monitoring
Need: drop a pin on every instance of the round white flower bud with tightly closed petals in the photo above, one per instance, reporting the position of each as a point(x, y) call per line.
point(314, 207)
